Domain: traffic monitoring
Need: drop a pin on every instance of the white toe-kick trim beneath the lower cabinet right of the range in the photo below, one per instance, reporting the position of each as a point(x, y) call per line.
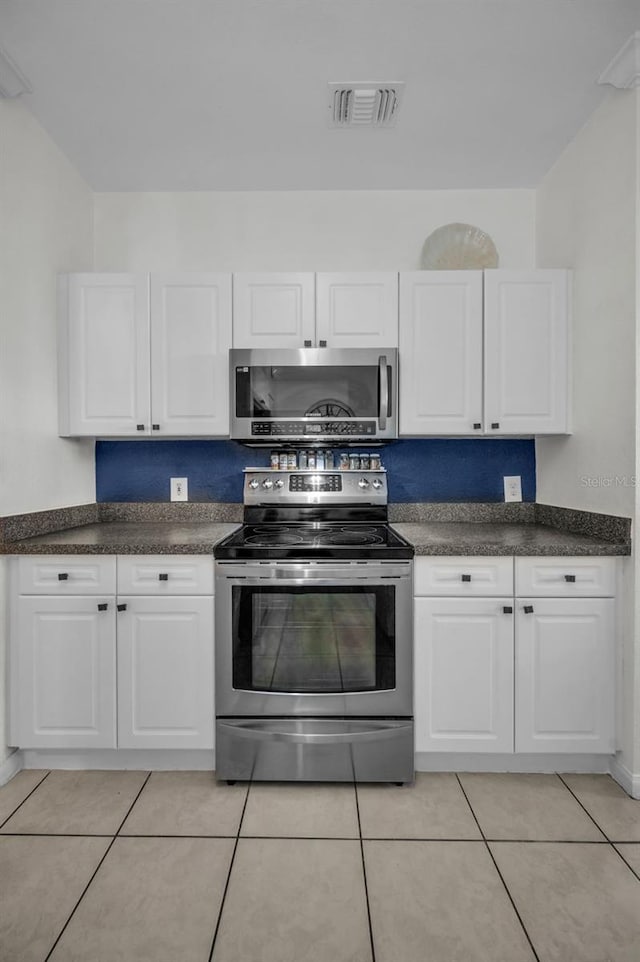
point(533, 763)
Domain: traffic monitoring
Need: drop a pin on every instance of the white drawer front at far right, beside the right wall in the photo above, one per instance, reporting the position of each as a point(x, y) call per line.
point(567, 577)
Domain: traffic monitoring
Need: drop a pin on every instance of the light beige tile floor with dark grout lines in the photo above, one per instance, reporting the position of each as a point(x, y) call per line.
point(173, 867)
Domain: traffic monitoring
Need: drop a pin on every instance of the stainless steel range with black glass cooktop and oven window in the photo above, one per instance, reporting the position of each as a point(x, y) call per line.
point(314, 633)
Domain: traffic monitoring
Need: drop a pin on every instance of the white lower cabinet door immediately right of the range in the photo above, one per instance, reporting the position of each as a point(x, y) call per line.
point(463, 675)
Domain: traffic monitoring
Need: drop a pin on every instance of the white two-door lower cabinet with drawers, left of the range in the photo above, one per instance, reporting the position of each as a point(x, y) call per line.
point(66, 691)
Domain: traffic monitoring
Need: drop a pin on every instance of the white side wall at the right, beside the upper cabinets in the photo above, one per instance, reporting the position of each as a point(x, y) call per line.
point(587, 219)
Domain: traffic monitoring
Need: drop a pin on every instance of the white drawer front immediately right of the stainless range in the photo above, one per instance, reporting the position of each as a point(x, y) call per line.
point(463, 576)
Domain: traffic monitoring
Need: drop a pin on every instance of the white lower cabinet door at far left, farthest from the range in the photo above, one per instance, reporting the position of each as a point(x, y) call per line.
point(66, 662)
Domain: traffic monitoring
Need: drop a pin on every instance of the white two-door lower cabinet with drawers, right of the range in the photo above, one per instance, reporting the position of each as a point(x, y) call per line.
point(530, 674)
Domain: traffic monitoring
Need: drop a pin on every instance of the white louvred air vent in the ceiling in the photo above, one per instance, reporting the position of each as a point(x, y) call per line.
point(364, 104)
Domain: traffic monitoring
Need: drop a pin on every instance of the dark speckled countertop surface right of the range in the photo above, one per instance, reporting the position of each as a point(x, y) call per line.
point(487, 538)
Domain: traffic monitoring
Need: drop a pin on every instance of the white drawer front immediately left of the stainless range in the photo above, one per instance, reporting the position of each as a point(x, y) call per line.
point(165, 574)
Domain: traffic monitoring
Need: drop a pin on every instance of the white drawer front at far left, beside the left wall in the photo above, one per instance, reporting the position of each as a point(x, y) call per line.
point(67, 575)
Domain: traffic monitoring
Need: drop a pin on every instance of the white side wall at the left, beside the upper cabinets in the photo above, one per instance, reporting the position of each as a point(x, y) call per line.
point(45, 227)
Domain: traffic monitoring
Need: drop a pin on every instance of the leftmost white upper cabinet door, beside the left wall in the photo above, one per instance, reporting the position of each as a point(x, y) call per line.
point(103, 353)
